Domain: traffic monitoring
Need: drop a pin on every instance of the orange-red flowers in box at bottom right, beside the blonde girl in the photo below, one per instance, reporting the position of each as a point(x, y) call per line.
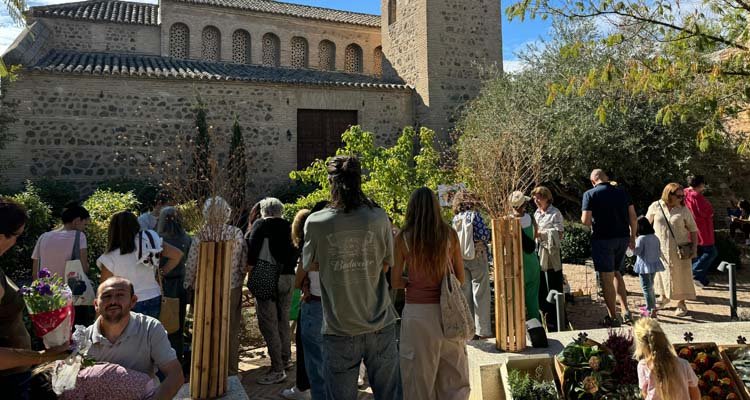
point(715, 380)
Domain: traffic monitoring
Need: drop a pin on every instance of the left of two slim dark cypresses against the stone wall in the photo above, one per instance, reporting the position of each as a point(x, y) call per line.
point(201, 168)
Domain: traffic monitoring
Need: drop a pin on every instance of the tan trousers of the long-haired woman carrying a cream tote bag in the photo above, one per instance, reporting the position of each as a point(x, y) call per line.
point(432, 367)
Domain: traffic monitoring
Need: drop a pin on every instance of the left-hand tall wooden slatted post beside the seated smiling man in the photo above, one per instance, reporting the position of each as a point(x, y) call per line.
point(209, 363)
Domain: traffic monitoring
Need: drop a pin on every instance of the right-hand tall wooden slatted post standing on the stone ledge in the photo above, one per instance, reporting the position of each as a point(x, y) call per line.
point(510, 309)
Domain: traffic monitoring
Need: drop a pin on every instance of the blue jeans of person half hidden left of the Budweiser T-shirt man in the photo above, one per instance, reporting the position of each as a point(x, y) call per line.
point(312, 342)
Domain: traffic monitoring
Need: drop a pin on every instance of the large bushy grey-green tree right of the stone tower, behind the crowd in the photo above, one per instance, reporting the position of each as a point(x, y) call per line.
point(624, 137)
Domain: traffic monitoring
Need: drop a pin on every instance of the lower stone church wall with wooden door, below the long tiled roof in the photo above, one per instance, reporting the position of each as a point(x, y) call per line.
point(90, 129)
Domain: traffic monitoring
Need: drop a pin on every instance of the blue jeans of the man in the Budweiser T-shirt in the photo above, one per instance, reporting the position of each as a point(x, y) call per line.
point(343, 354)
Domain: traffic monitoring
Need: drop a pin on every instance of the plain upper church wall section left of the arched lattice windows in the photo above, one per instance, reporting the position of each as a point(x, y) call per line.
point(102, 36)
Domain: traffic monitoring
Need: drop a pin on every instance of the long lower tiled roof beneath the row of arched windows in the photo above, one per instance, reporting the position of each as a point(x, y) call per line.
point(136, 65)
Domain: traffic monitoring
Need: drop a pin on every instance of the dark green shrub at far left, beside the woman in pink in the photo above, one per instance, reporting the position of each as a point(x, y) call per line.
point(16, 262)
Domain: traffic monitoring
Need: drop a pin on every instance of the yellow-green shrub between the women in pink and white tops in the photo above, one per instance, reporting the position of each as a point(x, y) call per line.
point(102, 205)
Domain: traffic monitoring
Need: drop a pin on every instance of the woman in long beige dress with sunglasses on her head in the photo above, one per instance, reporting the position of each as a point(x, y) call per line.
point(678, 234)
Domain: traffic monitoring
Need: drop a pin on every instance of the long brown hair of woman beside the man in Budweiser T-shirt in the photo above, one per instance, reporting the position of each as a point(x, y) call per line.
point(427, 234)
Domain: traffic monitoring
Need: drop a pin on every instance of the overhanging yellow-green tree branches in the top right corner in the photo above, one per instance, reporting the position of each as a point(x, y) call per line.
point(694, 59)
